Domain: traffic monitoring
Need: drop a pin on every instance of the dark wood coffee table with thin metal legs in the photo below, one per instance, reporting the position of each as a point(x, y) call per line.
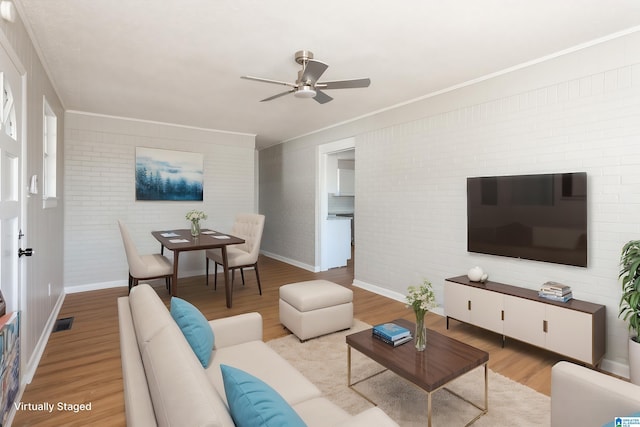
point(444, 360)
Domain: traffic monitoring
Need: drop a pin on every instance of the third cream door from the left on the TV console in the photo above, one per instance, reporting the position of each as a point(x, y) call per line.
point(524, 320)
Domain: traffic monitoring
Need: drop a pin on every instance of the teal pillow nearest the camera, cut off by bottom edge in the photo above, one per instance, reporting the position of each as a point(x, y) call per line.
point(253, 403)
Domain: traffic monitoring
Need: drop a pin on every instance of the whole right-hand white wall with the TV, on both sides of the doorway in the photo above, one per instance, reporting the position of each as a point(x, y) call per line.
point(576, 112)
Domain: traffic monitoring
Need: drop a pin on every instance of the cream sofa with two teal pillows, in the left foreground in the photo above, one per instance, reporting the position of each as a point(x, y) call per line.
point(166, 385)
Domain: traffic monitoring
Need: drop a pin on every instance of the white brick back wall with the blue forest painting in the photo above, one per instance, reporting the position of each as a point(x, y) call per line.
point(100, 189)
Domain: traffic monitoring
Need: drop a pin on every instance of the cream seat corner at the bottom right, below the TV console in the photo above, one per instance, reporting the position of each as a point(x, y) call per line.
point(583, 397)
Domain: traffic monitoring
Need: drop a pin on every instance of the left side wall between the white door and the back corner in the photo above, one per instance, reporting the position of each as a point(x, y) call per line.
point(42, 227)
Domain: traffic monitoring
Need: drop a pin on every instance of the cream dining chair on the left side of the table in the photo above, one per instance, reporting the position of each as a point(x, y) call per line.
point(142, 267)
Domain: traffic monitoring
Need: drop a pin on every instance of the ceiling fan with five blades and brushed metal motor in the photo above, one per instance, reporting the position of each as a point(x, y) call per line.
point(307, 84)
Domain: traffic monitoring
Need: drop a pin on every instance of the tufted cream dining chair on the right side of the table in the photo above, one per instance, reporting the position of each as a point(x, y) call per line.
point(248, 227)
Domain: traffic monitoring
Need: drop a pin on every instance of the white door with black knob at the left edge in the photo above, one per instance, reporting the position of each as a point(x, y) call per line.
point(10, 180)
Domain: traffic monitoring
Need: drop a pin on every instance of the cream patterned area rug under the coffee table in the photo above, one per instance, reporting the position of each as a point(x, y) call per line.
point(324, 362)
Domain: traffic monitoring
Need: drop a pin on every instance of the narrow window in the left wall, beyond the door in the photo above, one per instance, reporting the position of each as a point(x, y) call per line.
point(49, 154)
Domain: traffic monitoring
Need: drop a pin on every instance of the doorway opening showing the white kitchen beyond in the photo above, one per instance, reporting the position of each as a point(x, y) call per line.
point(333, 222)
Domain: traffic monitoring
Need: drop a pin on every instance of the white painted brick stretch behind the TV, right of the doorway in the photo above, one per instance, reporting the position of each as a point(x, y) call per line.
point(420, 168)
